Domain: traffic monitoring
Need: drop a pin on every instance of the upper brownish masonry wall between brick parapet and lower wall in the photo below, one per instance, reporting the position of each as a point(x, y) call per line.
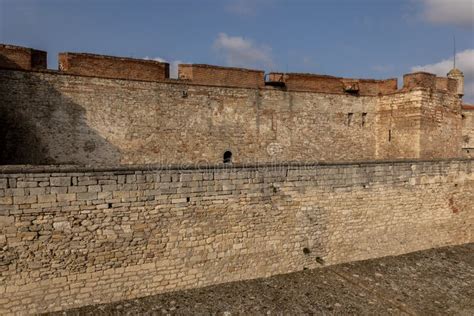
point(86, 120)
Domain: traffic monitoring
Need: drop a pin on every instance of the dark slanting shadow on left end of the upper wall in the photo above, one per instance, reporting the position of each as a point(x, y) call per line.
point(39, 125)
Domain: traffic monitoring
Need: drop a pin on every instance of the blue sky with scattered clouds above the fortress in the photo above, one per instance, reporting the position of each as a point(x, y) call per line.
point(351, 38)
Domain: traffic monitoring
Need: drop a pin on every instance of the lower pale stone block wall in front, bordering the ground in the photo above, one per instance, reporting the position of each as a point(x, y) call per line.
point(72, 236)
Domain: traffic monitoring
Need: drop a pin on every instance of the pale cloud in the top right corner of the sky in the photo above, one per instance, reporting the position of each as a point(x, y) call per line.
point(453, 12)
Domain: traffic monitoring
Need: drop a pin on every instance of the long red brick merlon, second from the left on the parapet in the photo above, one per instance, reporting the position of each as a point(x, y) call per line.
point(113, 67)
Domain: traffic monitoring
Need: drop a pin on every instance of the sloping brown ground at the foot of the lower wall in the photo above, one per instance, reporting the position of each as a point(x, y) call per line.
point(432, 282)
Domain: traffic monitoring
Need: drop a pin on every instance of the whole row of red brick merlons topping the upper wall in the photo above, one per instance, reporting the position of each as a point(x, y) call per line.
point(102, 66)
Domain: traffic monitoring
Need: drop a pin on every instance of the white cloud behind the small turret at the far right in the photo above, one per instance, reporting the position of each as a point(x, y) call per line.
point(464, 61)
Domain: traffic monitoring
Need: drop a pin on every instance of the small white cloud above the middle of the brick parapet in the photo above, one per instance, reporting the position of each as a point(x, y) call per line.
point(241, 52)
